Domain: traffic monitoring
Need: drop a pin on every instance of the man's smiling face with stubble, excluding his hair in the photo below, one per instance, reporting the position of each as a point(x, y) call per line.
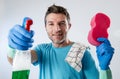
point(57, 27)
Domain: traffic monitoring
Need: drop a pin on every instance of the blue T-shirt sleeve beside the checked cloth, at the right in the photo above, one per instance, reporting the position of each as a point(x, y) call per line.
point(89, 67)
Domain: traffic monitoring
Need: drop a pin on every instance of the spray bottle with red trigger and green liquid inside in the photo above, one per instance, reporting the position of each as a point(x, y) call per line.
point(22, 59)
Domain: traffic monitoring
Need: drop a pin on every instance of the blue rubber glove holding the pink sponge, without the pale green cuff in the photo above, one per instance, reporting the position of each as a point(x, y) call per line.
point(104, 53)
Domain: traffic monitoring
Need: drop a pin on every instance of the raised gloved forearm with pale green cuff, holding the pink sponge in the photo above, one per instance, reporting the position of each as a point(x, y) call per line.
point(104, 54)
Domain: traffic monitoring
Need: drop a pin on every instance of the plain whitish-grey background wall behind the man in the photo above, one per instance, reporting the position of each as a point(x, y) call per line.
point(13, 11)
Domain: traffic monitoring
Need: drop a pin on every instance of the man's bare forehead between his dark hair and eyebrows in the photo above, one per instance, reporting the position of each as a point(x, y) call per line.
point(54, 17)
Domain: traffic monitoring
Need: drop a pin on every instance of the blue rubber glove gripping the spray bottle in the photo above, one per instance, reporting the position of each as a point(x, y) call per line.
point(19, 38)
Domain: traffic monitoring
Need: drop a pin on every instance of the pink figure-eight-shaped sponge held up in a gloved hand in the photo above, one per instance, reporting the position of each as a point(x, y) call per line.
point(99, 25)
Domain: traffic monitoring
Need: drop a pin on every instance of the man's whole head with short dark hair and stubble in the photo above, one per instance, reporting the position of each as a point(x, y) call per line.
point(57, 23)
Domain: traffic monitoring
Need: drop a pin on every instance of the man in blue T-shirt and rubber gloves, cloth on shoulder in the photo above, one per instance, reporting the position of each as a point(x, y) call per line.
point(54, 58)
